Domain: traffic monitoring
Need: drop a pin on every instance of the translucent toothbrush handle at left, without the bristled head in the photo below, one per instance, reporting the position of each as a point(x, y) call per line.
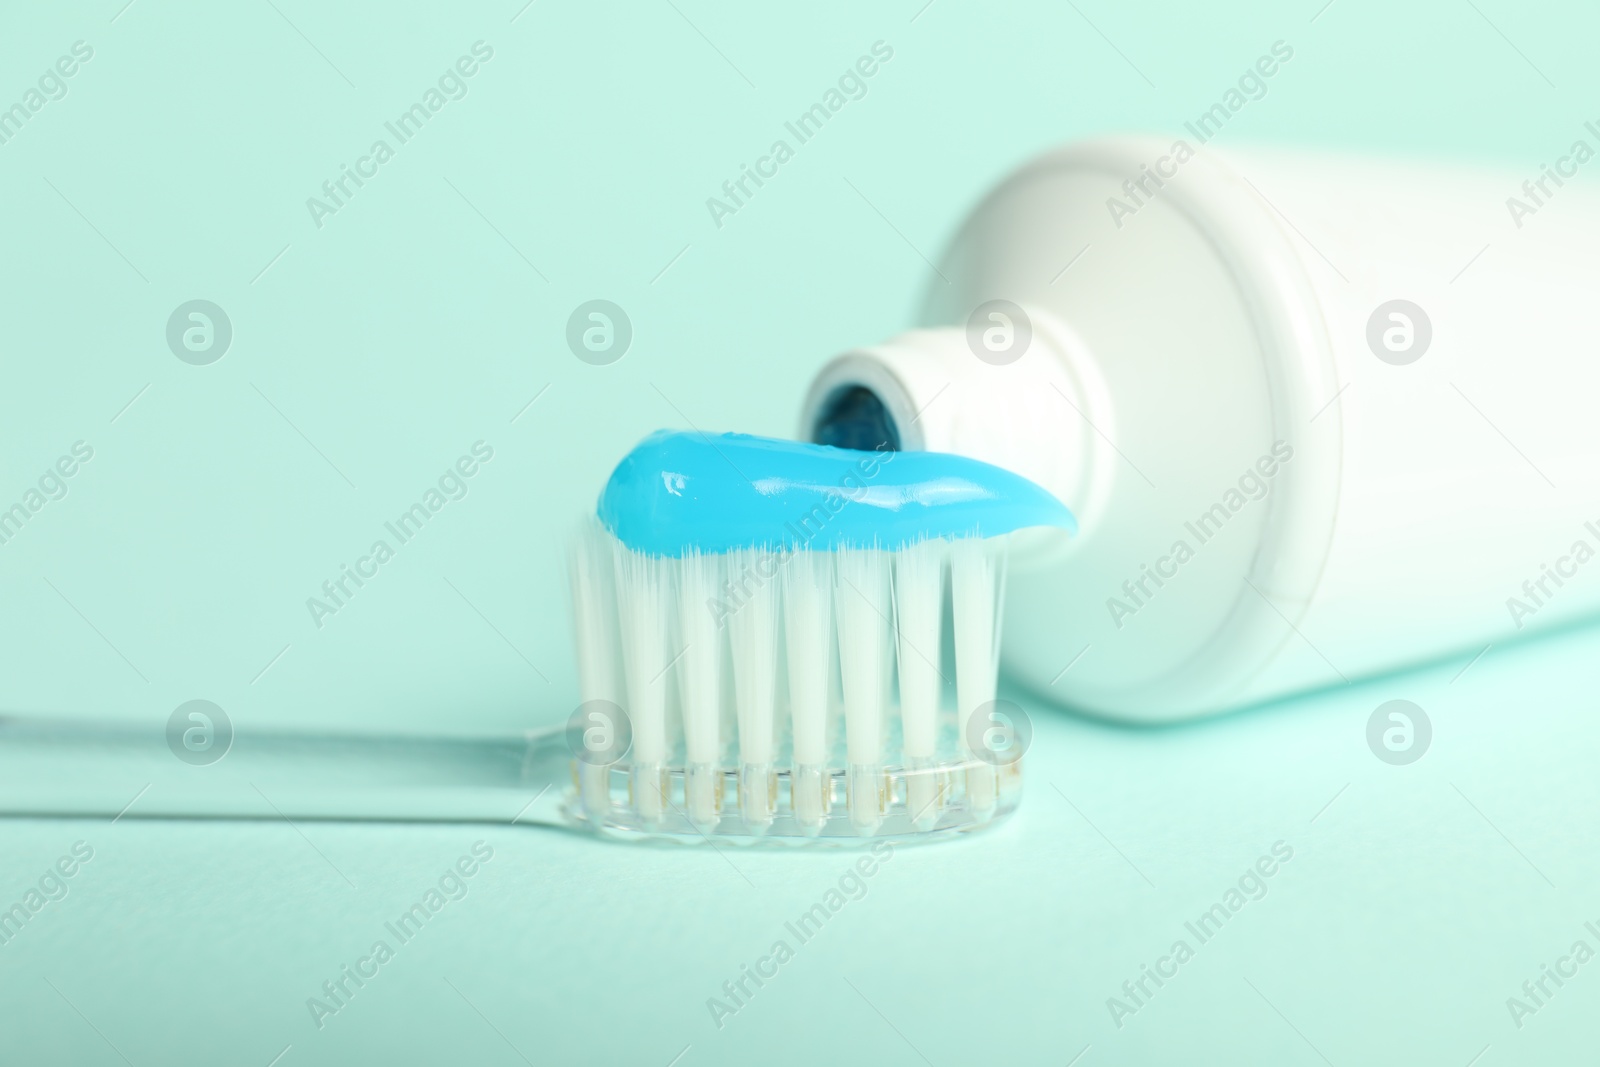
point(78, 769)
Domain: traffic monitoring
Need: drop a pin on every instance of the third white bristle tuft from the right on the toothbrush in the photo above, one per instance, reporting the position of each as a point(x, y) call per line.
point(863, 601)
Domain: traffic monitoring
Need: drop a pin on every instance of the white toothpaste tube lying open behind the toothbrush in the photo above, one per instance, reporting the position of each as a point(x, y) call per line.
point(1201, 375)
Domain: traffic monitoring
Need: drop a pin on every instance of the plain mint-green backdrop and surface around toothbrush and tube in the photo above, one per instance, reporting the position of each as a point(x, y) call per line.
point(375, 351)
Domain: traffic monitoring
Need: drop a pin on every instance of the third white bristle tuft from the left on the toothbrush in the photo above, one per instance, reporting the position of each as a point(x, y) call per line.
point(700, 682)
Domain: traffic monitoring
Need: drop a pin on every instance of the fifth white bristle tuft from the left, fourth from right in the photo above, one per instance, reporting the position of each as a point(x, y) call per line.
point(809, 636)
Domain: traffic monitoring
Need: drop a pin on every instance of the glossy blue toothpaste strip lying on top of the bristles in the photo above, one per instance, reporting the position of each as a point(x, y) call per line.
point(722, 492)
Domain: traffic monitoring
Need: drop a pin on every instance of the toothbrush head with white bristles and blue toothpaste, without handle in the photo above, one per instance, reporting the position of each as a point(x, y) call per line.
point(770, 621)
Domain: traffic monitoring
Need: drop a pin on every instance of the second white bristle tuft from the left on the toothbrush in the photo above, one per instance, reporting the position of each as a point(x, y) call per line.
point(642, 602)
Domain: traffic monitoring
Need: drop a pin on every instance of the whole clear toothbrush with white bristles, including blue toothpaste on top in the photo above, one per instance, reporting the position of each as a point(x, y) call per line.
point(740, 644)
